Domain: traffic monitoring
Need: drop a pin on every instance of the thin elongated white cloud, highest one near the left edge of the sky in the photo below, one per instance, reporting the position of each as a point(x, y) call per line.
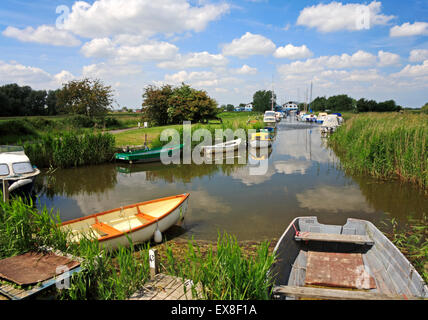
point(43, 34)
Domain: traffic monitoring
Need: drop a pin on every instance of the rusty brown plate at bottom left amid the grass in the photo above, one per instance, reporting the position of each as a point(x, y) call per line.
point(34, 267)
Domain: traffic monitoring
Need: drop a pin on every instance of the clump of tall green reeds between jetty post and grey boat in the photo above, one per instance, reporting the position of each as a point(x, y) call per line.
point(225, 273)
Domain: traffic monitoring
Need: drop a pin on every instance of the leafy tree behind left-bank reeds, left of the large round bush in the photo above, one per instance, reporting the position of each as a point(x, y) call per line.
point(88, 97)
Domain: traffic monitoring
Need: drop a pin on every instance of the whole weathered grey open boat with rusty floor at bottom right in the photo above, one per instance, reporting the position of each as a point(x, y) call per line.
point(355, 261)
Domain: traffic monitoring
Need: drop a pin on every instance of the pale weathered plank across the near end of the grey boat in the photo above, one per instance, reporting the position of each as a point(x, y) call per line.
point(335, 294)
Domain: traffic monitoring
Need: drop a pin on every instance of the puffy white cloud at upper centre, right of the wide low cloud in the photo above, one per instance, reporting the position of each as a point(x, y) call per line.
point(249, 44)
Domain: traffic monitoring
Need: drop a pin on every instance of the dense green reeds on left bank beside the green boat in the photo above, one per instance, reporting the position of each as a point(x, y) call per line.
point(70, 150)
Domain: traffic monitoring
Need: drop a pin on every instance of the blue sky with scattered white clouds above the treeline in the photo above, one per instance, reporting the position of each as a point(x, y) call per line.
point(229, 48)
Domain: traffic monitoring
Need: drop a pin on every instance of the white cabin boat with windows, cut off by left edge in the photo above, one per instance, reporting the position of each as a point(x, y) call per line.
point(16, 168)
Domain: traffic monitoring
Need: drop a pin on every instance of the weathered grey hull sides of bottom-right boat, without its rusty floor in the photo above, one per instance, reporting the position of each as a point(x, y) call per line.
point(392, 273)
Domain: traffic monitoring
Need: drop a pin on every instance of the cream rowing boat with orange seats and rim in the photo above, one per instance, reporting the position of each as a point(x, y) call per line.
point(140, 222)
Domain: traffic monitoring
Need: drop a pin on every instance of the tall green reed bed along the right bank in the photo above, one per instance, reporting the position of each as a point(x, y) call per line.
point(385, 145)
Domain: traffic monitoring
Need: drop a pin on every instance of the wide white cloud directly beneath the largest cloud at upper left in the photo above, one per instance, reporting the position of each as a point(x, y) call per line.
point(149, 51)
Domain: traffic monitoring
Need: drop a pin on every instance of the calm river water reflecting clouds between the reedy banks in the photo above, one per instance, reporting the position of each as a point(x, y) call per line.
point(302, 178)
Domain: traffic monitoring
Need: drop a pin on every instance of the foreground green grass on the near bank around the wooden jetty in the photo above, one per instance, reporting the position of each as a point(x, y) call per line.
point(117, 274)
